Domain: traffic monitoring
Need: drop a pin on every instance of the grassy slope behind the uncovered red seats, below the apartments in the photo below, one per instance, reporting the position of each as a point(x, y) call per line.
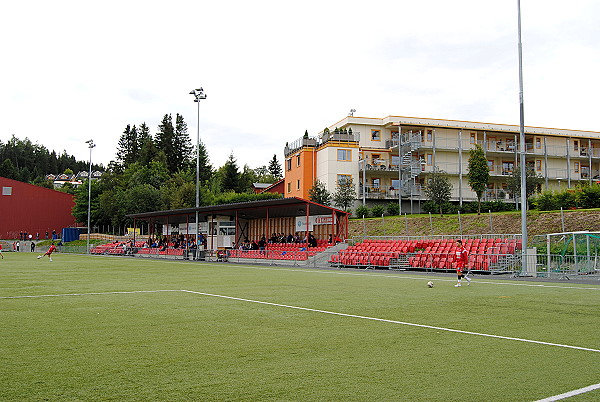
point(504, 222)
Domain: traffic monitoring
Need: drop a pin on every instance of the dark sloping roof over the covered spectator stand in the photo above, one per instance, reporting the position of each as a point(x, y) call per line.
point(284, 207)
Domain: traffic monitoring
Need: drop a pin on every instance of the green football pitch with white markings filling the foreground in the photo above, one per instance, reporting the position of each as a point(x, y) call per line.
point(117, 328)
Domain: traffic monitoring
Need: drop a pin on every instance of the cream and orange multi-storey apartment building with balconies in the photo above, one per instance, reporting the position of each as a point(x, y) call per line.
point(389, 158)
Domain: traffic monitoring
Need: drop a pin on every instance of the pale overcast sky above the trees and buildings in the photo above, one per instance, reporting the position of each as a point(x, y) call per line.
point(78, 70)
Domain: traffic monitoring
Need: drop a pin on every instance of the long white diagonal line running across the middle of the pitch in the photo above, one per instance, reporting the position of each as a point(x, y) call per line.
point(396, 322)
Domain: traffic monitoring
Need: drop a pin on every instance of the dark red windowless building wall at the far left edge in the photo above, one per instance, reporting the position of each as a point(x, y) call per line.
point(32, 209)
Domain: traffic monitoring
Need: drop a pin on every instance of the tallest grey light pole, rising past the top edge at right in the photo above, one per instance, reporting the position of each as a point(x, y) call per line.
point(522, 142)
